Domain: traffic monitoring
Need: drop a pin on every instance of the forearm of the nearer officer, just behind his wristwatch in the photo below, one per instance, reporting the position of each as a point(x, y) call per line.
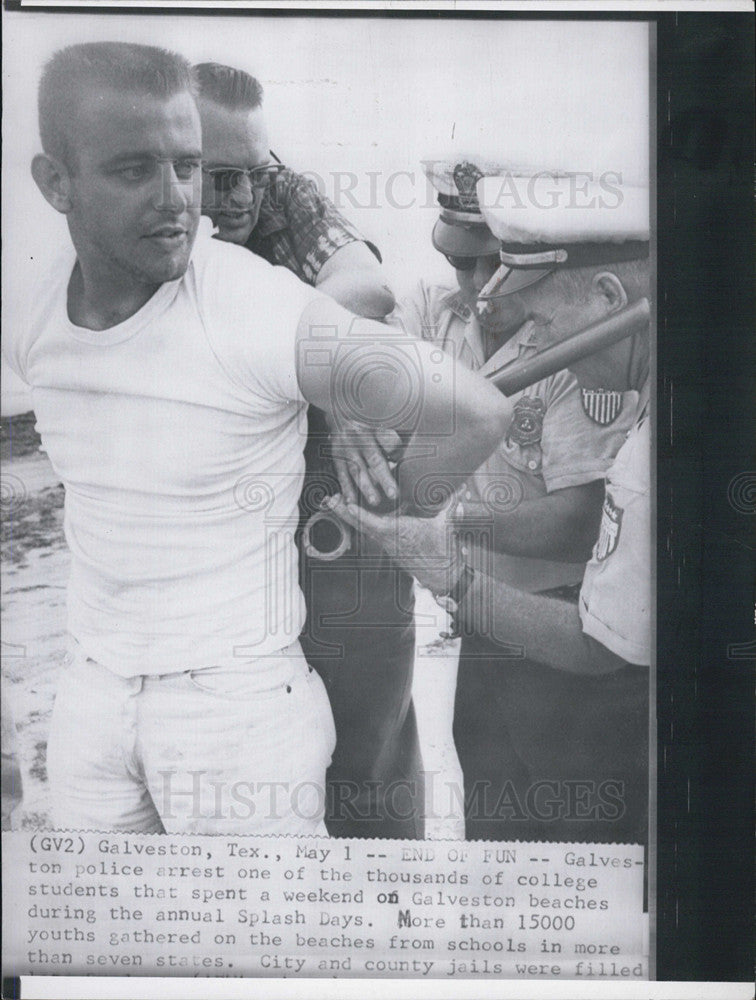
point(548, 630)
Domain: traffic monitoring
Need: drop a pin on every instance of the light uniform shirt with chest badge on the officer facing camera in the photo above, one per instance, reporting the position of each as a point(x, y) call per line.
point(552, 442)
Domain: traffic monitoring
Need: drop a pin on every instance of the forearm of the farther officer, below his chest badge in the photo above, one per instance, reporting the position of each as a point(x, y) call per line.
point(562, 526)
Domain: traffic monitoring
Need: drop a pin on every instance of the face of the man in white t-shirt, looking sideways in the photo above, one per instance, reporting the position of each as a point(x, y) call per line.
point(135, 186)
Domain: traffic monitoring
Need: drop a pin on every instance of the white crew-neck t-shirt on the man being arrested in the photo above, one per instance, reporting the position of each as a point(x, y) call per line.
point(178, 435)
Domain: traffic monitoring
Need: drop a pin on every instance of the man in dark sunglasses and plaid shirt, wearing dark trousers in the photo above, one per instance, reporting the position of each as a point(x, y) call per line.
point(359, 634)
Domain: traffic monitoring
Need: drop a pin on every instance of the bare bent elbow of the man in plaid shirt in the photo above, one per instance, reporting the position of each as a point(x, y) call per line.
point(353, 277)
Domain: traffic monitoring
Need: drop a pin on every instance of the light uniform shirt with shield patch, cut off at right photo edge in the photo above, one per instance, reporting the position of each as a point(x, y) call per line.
point(615, 599)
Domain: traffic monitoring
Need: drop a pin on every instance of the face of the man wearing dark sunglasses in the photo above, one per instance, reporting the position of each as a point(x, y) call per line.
point(237, 140)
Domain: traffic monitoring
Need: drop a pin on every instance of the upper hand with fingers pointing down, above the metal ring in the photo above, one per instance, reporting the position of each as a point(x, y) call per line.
point(362, 458)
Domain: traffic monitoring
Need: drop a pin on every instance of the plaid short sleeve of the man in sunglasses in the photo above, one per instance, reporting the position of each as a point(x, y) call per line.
point(316, 226)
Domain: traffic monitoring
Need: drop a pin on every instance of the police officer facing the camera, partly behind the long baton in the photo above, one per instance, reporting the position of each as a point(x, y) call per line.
point(530, 515)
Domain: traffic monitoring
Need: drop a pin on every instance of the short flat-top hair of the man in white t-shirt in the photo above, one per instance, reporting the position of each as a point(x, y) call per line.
point(123, 66)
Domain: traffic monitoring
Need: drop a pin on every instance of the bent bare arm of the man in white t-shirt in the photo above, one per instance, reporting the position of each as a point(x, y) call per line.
point(360, 370)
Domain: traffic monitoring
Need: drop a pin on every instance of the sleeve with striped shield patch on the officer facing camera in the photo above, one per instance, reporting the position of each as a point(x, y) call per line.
point(576, 449)
